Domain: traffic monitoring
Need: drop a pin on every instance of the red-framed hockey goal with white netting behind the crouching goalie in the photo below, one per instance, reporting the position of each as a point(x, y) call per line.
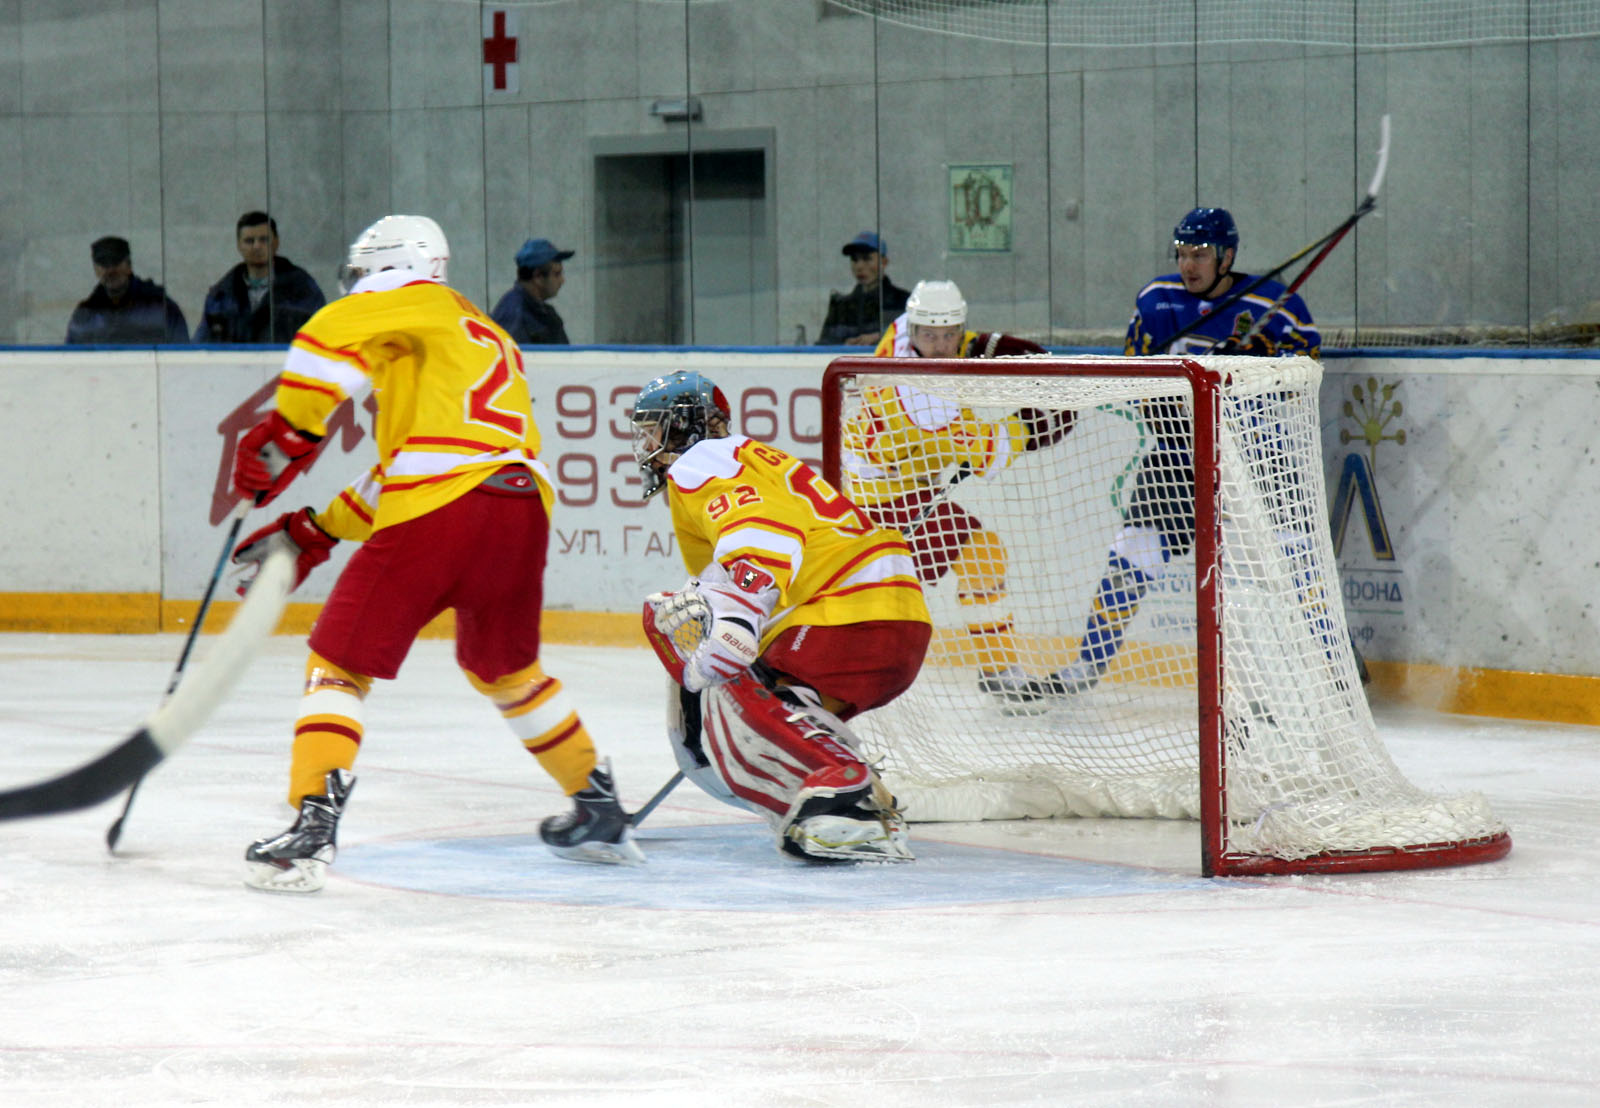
point(1233, 694)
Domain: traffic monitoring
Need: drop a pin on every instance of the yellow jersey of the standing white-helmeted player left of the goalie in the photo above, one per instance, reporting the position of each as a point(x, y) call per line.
point(452, 393)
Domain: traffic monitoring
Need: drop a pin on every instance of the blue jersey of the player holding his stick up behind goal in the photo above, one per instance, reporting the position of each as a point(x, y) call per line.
point(1166, 308)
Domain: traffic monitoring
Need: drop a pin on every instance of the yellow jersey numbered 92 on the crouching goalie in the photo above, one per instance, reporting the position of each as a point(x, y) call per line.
point(738, 499)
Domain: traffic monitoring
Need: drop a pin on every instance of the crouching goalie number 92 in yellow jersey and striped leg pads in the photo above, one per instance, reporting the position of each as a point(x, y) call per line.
point(801, 614)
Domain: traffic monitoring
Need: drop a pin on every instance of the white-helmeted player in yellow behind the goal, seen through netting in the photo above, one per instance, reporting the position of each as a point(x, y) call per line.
point(905, 451)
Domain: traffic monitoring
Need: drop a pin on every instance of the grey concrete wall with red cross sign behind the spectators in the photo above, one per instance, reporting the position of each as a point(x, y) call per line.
point(164, 119)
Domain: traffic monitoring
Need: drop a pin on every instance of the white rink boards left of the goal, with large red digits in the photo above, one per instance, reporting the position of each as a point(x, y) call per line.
point(121, 465)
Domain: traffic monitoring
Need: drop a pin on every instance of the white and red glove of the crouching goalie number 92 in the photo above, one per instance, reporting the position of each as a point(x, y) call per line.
point(711, 630)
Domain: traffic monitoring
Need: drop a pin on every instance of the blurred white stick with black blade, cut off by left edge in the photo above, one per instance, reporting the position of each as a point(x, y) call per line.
point(178, 718)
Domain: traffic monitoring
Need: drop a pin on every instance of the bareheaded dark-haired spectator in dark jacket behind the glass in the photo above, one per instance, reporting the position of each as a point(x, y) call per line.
point(266, 297)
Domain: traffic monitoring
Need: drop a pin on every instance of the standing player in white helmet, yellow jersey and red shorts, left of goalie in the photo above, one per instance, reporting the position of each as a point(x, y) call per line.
point(455, 516)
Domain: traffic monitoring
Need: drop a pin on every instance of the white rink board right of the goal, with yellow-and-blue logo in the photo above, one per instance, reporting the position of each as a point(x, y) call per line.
point(1487, 478)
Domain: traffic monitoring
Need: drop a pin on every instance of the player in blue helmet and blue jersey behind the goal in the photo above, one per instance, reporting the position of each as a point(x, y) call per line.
point(1185, 313)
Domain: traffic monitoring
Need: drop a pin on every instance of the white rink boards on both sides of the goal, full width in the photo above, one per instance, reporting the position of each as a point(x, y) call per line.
point(1490, 507)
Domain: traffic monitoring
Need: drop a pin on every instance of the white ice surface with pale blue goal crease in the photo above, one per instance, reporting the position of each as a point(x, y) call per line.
point(454, 961)
